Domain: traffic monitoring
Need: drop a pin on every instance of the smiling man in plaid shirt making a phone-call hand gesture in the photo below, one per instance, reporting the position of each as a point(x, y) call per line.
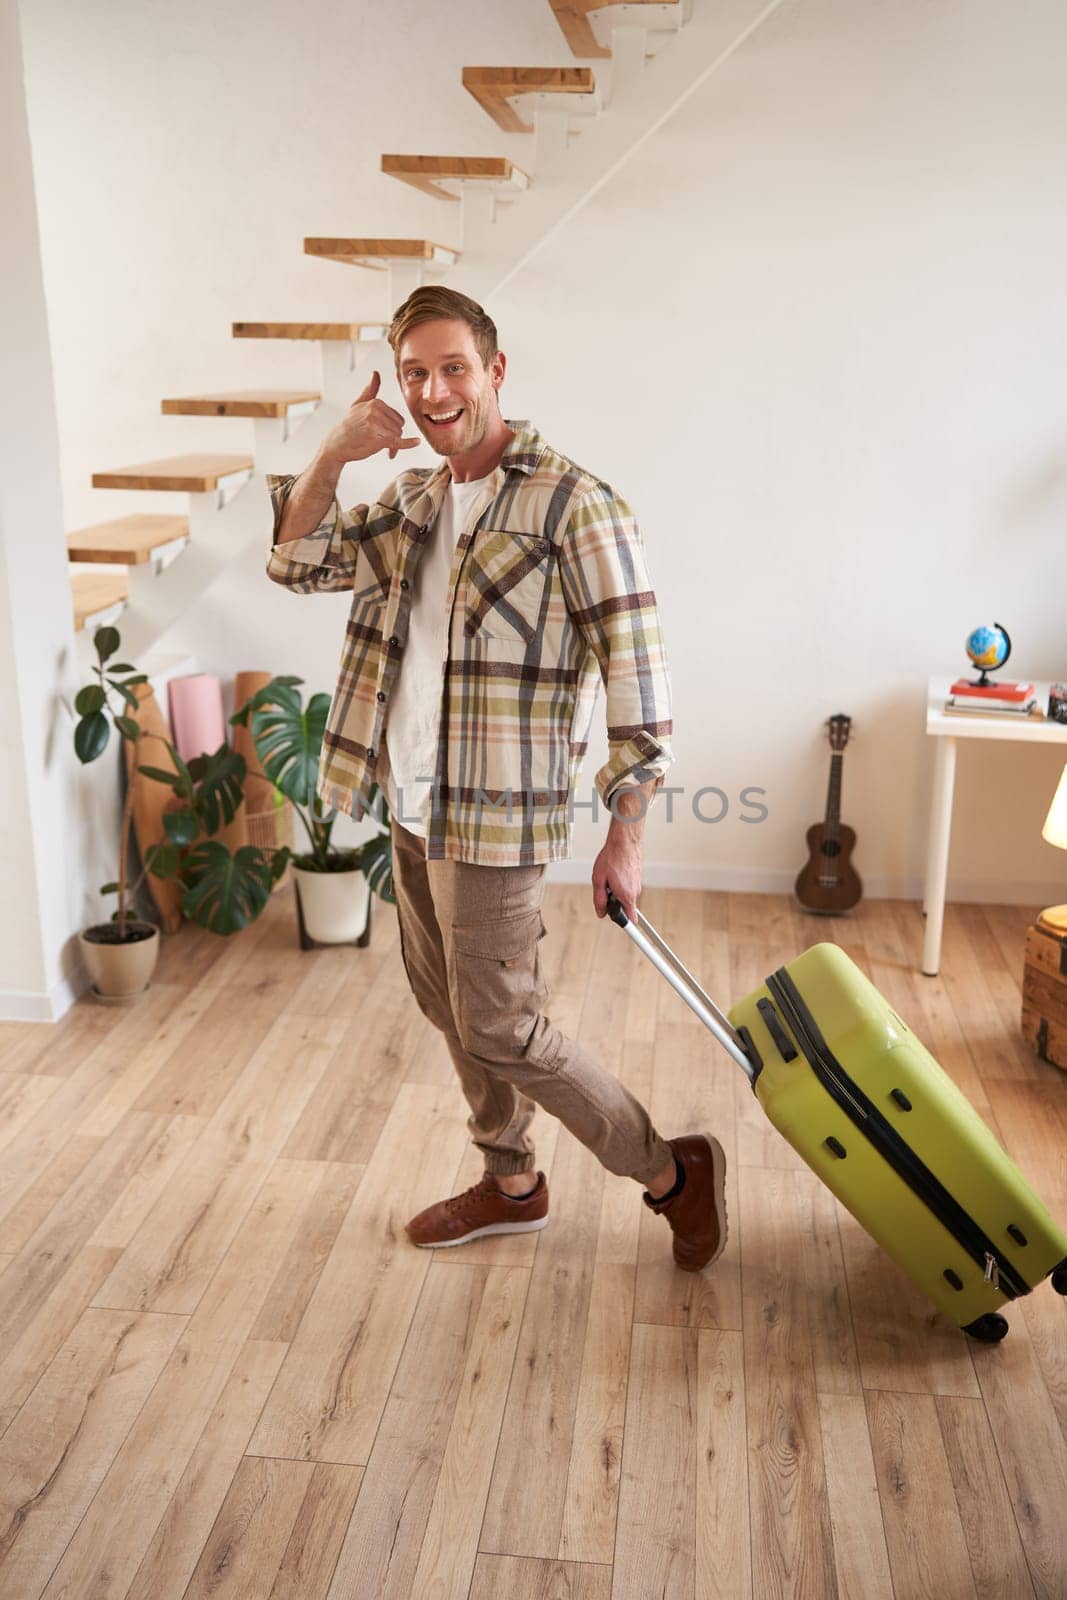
point(490, 598)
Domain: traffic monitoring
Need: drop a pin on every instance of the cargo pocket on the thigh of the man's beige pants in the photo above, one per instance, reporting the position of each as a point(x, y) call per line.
point(498, 985)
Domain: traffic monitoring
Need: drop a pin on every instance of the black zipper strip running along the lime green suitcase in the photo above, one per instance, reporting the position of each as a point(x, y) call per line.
point(866, 1116)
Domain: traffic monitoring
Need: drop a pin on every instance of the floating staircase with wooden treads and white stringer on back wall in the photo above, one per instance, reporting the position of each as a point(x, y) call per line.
point(549, 103)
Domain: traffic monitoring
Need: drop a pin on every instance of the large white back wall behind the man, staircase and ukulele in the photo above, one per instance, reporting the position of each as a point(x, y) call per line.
point(813, 330)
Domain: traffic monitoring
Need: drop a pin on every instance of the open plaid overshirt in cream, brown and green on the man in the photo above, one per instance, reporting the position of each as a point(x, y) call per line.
point(549, 594)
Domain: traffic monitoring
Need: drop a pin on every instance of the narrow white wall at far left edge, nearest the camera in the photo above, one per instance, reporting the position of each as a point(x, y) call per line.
point(41, 818)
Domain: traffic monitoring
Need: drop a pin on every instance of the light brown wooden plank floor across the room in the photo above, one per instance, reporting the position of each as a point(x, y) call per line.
point(225, 1372)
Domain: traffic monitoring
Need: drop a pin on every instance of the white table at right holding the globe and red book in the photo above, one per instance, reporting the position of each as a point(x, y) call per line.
point(948, 732)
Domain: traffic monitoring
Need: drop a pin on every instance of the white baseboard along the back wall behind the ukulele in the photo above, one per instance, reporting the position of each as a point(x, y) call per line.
point(775, 881)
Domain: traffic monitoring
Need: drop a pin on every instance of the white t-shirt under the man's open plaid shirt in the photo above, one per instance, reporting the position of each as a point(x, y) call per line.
point(409, 750)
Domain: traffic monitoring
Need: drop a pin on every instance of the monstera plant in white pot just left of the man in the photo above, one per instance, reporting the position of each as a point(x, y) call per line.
point(334, 884)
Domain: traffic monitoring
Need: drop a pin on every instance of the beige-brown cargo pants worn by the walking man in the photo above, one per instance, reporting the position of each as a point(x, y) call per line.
point(471, 942)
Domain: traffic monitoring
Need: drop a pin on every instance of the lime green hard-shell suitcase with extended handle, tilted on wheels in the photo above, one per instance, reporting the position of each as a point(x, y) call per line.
point(869, 1110)
